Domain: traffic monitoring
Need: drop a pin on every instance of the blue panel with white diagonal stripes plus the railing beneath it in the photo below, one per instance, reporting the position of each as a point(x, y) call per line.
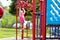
point(53, 18)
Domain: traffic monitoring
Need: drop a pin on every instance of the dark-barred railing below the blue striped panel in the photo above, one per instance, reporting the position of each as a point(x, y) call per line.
point(53, 32)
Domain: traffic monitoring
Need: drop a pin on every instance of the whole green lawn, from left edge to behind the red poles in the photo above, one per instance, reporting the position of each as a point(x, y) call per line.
point(11, 32)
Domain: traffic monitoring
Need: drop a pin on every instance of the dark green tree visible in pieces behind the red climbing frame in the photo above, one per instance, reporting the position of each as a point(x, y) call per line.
point(13, 7)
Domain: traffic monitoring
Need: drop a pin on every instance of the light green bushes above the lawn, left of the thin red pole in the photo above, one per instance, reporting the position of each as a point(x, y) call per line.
point(8, 20)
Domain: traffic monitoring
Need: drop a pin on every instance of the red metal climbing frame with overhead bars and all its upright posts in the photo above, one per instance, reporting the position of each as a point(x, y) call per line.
point(23, 4)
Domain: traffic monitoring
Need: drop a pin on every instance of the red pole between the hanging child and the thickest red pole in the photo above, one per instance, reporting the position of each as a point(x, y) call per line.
point(34, 18)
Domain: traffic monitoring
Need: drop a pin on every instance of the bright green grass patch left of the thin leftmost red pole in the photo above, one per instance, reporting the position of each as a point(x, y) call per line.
point(5, 32)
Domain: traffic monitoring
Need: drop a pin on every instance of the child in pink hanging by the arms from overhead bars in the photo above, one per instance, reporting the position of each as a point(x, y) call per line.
point(22, 20)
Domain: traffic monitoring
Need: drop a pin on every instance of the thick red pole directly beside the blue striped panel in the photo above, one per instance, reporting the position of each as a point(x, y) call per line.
point(43, 11)
